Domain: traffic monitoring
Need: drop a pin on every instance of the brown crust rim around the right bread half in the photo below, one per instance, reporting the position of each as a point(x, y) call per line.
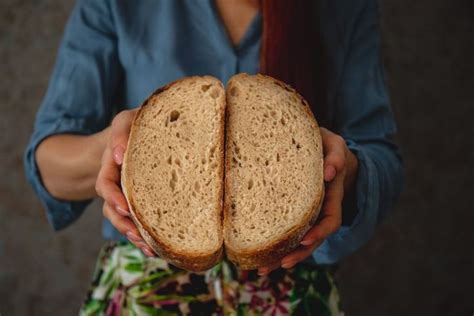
point(257, 257)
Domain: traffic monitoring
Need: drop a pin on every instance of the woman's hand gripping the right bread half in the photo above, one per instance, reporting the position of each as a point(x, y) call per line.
point(340, 170)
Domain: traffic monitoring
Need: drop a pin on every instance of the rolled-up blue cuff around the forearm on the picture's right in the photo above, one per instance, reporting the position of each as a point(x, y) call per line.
point(378, 184)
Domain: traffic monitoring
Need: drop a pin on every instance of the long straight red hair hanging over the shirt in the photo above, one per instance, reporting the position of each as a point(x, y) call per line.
point(292, 49)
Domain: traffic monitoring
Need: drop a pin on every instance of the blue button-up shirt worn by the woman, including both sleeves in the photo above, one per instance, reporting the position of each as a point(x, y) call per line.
point(115, 53)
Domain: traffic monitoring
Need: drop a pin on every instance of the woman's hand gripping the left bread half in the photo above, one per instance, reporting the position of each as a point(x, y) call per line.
point(108, 186)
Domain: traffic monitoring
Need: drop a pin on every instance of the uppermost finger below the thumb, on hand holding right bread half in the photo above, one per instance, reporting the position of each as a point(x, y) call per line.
point(331, 214)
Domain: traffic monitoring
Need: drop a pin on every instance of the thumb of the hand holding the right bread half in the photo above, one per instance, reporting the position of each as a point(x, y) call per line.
point(334, 154)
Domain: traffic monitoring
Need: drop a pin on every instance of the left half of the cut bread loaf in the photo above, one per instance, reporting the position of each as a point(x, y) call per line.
point(172, 175)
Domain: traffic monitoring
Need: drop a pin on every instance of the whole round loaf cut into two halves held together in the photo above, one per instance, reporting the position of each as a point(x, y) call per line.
point(186, 209)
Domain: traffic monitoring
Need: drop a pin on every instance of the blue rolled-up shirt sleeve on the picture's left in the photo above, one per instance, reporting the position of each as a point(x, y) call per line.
point(79, 97)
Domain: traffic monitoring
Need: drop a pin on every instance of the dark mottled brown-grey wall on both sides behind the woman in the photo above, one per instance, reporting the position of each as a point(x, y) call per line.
point(421, 260)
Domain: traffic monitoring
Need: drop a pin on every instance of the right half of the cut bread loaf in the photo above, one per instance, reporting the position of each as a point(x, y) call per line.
point(274, 170)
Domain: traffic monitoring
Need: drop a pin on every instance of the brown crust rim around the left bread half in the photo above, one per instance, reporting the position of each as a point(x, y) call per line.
point(187, 261)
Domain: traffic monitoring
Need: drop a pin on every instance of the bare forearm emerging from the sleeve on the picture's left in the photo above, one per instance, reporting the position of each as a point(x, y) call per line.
point(69, 164)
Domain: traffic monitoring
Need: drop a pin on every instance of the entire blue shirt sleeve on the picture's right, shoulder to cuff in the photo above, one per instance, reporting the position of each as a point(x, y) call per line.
point(364, 118)
